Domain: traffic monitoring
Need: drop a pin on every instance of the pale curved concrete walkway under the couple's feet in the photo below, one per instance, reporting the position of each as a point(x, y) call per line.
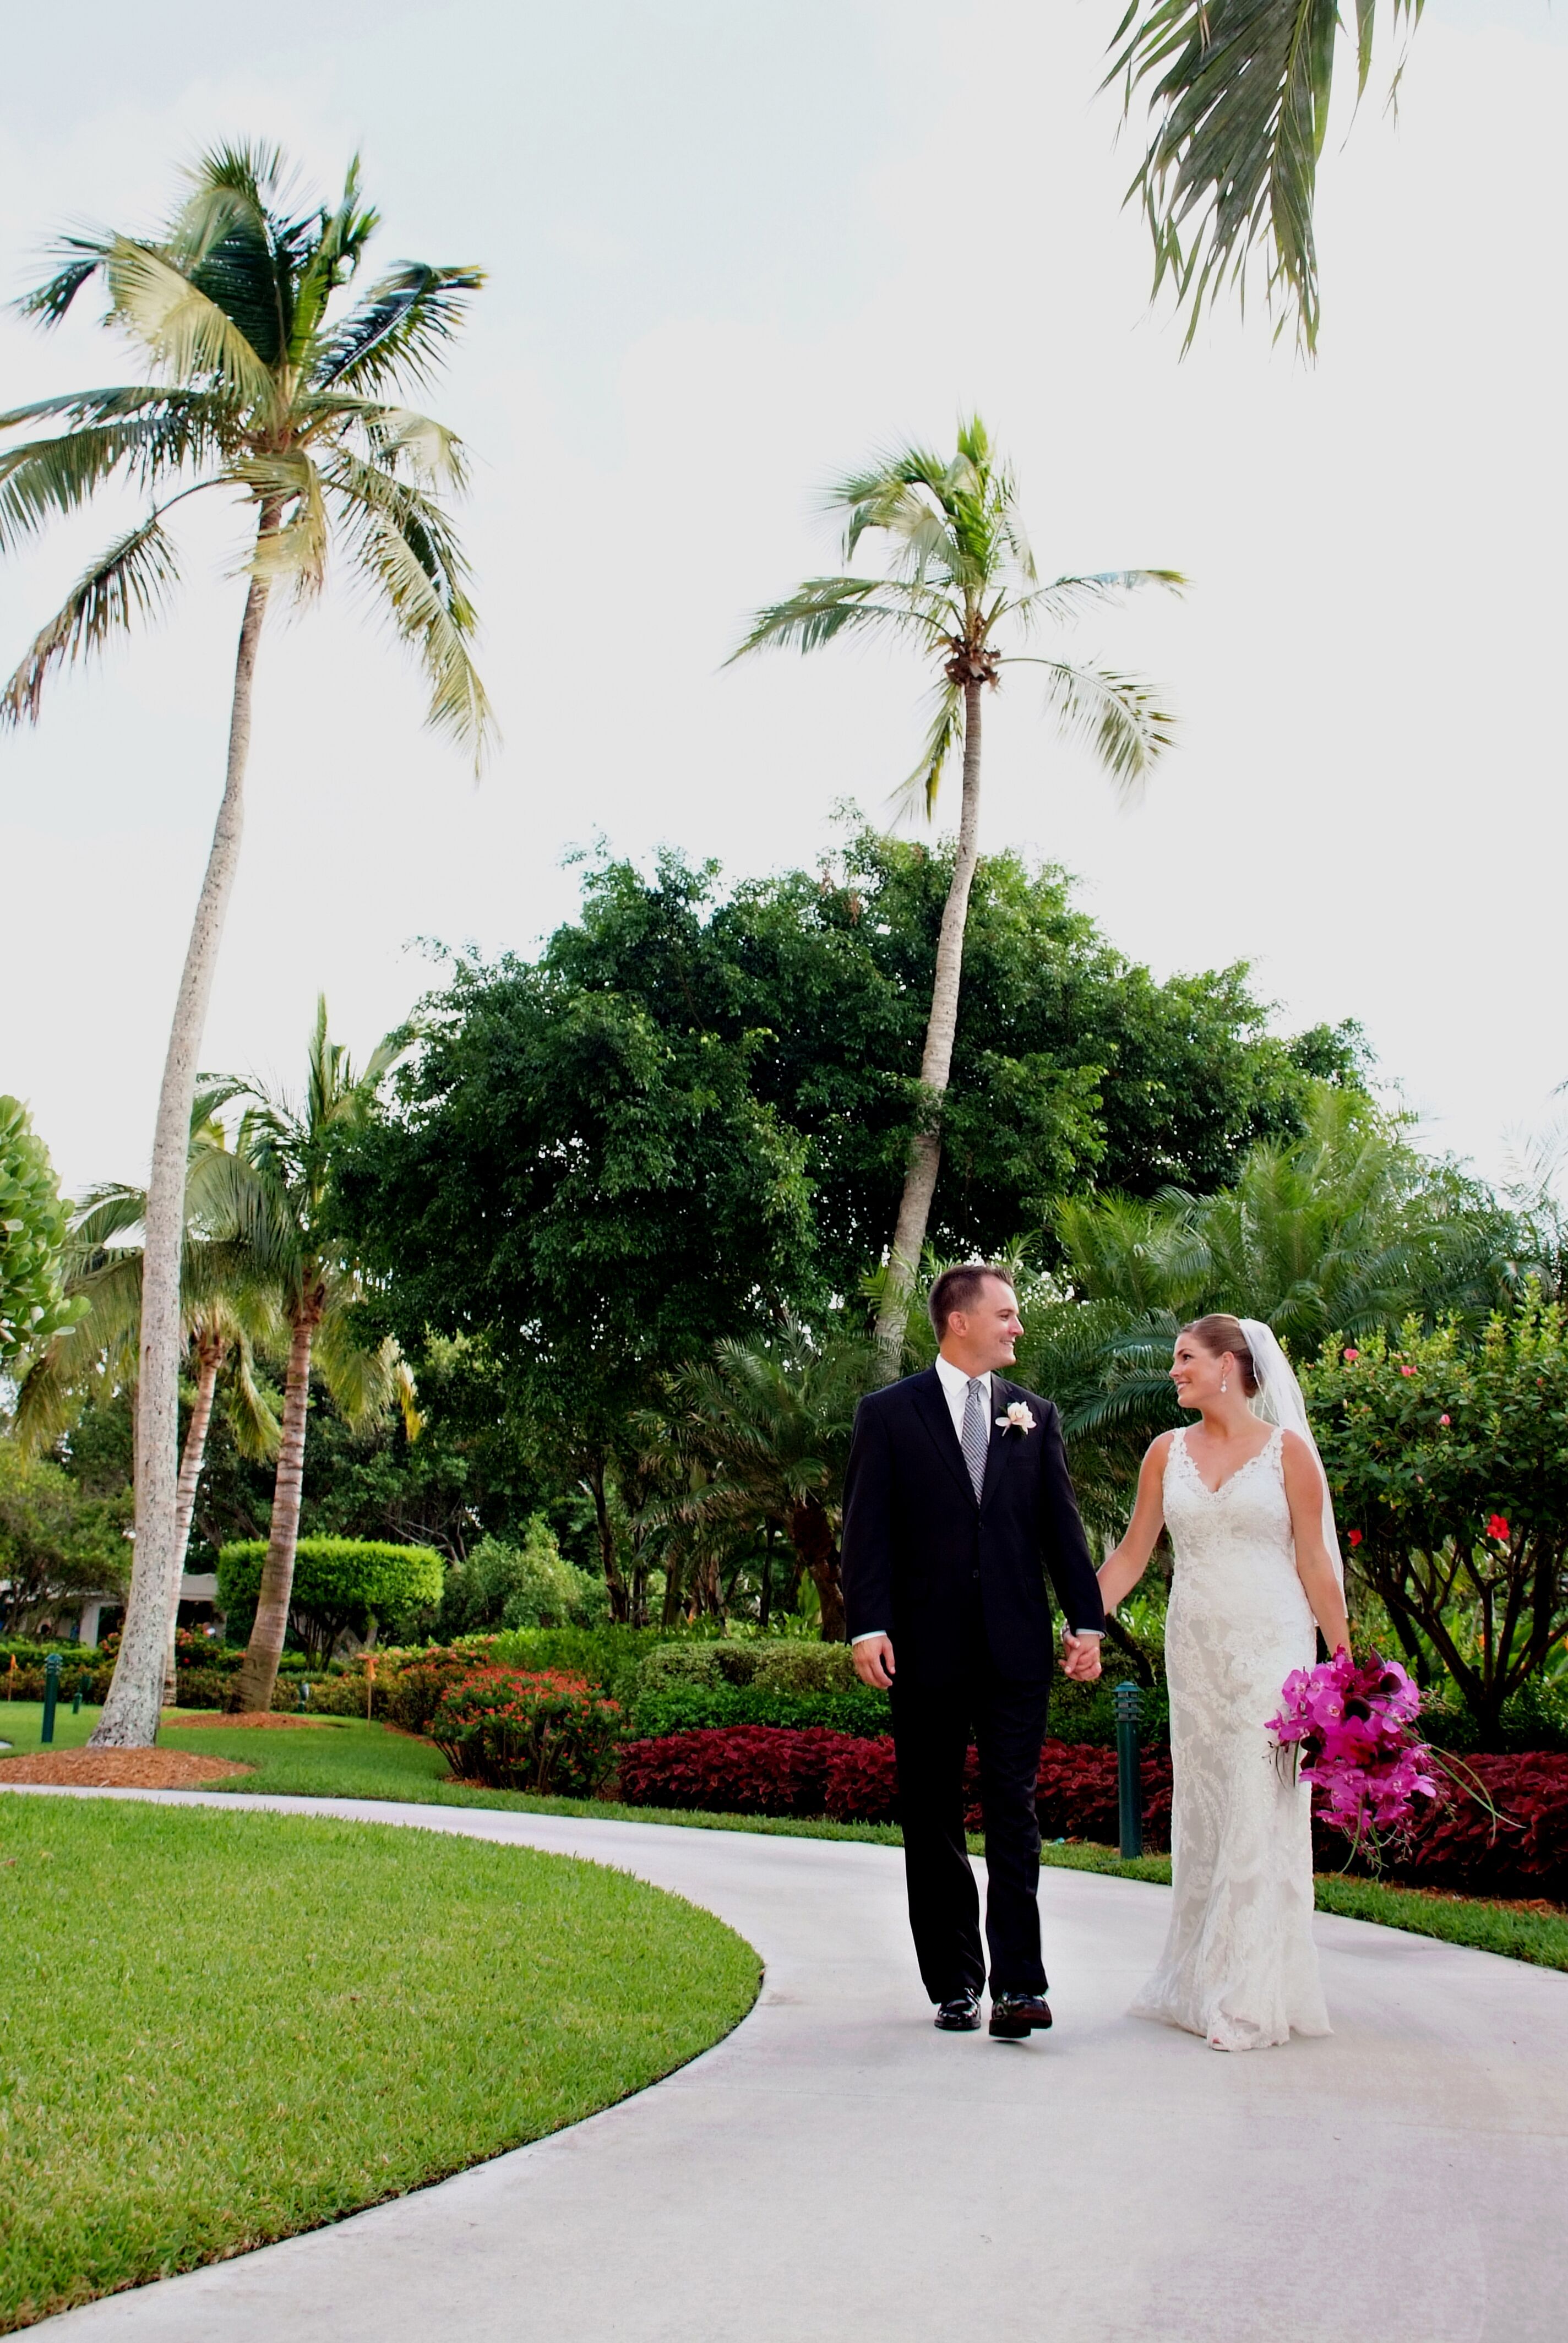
point(838, 2173)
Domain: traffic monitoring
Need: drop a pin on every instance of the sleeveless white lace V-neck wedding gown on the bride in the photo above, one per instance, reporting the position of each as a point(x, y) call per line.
point(1239, 1962)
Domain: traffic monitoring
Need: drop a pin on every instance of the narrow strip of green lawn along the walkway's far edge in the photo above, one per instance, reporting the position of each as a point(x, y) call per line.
point(346, 1758)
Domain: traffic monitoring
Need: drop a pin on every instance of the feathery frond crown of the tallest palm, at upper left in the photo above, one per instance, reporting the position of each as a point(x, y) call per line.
point(264, 388)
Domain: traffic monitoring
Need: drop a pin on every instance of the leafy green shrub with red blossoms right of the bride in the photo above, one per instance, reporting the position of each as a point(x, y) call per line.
point(1450, 1473)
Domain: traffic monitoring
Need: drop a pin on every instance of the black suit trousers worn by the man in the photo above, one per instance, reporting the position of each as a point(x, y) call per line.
point(932, 1733)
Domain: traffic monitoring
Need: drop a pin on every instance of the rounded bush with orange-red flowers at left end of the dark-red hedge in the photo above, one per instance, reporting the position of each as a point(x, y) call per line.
point(519, 1730)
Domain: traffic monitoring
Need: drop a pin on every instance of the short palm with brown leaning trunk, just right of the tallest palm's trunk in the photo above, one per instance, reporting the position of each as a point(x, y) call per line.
point(285, 1189)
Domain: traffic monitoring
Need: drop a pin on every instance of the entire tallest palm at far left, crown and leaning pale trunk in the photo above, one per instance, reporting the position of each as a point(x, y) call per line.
point(264, 390)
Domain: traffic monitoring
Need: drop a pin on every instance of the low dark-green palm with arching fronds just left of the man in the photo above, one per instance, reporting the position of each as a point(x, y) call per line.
point(768, 1423)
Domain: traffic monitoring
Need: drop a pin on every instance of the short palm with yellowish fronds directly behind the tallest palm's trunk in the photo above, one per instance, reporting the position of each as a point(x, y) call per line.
point(226, 1313)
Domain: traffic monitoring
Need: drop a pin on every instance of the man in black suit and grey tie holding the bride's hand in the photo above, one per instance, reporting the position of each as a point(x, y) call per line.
point(955, 1508)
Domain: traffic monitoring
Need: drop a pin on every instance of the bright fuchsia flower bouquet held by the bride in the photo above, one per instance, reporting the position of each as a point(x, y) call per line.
point(1354, 1726)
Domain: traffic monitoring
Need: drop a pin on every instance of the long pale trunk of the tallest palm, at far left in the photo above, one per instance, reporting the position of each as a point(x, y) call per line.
point(137, 1690)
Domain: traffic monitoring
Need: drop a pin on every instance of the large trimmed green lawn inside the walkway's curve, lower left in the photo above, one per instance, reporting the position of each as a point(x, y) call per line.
point(221, 2028)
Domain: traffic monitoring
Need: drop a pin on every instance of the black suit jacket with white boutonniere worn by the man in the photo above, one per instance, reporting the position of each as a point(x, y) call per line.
point(920, 1552)
